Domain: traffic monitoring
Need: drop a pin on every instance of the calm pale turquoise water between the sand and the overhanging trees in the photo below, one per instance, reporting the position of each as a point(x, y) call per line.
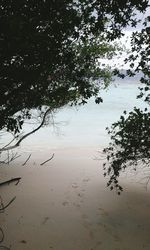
point(84, 126)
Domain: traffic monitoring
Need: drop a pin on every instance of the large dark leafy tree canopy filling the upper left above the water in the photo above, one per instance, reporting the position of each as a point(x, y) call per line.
point(49, 52)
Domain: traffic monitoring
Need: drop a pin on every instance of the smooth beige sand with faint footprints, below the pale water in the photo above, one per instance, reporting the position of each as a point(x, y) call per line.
point(65, 205)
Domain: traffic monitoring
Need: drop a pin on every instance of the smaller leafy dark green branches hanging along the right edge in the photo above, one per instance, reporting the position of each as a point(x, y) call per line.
point(130, 136)
